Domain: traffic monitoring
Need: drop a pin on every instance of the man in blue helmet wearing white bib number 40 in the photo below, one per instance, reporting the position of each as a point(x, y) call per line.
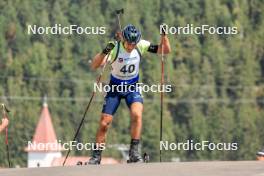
point(124, 57)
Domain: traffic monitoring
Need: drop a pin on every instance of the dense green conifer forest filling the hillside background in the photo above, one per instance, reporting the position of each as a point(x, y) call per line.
point(217, 80)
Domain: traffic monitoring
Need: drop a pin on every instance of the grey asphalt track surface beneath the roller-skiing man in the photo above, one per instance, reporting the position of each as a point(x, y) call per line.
point(213, 168)
